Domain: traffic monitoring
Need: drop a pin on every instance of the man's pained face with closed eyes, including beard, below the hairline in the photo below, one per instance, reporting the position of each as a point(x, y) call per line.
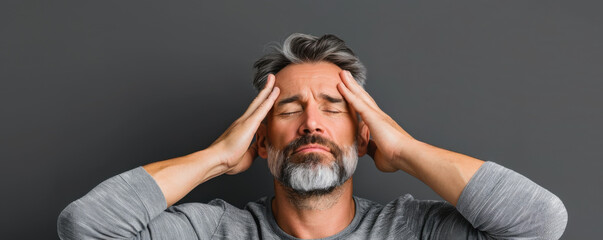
point(310, 136)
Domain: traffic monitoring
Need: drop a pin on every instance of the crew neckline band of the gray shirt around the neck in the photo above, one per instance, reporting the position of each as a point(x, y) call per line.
point(347, 230)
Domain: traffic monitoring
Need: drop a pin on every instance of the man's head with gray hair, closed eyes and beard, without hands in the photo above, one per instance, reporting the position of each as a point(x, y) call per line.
point(312, 138)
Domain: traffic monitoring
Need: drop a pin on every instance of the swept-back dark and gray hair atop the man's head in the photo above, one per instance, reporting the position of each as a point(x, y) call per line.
point(304, 48)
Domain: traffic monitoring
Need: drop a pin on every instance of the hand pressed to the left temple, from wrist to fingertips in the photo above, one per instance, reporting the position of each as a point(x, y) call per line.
point(233, 146)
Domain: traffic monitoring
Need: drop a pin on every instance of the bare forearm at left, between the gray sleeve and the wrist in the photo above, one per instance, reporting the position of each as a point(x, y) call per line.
point(178, 176)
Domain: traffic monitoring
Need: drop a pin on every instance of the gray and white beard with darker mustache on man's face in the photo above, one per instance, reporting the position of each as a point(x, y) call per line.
point(311, 177)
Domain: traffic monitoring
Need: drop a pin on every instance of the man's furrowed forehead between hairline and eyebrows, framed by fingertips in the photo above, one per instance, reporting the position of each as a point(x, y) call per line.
point(308, 77)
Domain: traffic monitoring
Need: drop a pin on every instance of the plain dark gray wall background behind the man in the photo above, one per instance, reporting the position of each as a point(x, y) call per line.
point(90, 89)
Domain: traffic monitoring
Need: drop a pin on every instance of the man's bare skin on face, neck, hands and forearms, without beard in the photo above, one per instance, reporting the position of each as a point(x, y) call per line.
point(390, 147)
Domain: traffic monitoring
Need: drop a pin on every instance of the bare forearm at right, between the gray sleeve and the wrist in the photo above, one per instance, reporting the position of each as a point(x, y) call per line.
point(446, 172)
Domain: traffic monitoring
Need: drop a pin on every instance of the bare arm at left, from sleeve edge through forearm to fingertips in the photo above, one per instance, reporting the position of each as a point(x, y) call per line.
point(231, 153)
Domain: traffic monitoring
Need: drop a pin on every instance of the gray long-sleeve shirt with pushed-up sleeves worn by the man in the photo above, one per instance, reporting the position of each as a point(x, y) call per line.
point(497, 203)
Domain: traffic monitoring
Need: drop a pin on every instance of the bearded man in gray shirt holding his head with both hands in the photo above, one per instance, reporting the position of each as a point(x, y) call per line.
point(312, 120)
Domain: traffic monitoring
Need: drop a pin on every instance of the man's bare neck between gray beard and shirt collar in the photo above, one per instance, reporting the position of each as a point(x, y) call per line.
point(316, 216)
